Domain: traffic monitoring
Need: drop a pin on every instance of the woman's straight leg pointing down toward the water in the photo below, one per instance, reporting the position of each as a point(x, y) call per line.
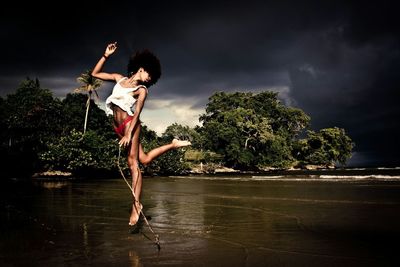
point(133, 163)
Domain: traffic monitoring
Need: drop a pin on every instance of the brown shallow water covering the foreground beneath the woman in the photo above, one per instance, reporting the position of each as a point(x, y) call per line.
point(203, 221)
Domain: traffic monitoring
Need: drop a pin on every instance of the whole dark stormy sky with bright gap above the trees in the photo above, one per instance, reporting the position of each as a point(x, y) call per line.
point(337, 60)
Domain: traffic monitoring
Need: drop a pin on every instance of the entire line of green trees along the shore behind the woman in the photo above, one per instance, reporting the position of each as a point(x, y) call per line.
point(244, 131)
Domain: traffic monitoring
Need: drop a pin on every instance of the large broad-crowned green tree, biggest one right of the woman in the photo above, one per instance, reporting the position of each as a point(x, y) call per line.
point(251, 130)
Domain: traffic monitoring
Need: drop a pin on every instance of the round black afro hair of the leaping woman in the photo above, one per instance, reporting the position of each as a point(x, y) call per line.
point(149, 62)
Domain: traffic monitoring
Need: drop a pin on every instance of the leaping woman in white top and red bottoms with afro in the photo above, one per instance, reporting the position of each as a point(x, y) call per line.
point(125, 104)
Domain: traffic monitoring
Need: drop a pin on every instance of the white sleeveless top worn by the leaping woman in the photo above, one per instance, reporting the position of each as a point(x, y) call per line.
point(121, 97)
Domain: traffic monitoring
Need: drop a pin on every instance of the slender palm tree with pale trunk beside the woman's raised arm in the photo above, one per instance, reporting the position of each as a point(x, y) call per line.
point(89, 85)
